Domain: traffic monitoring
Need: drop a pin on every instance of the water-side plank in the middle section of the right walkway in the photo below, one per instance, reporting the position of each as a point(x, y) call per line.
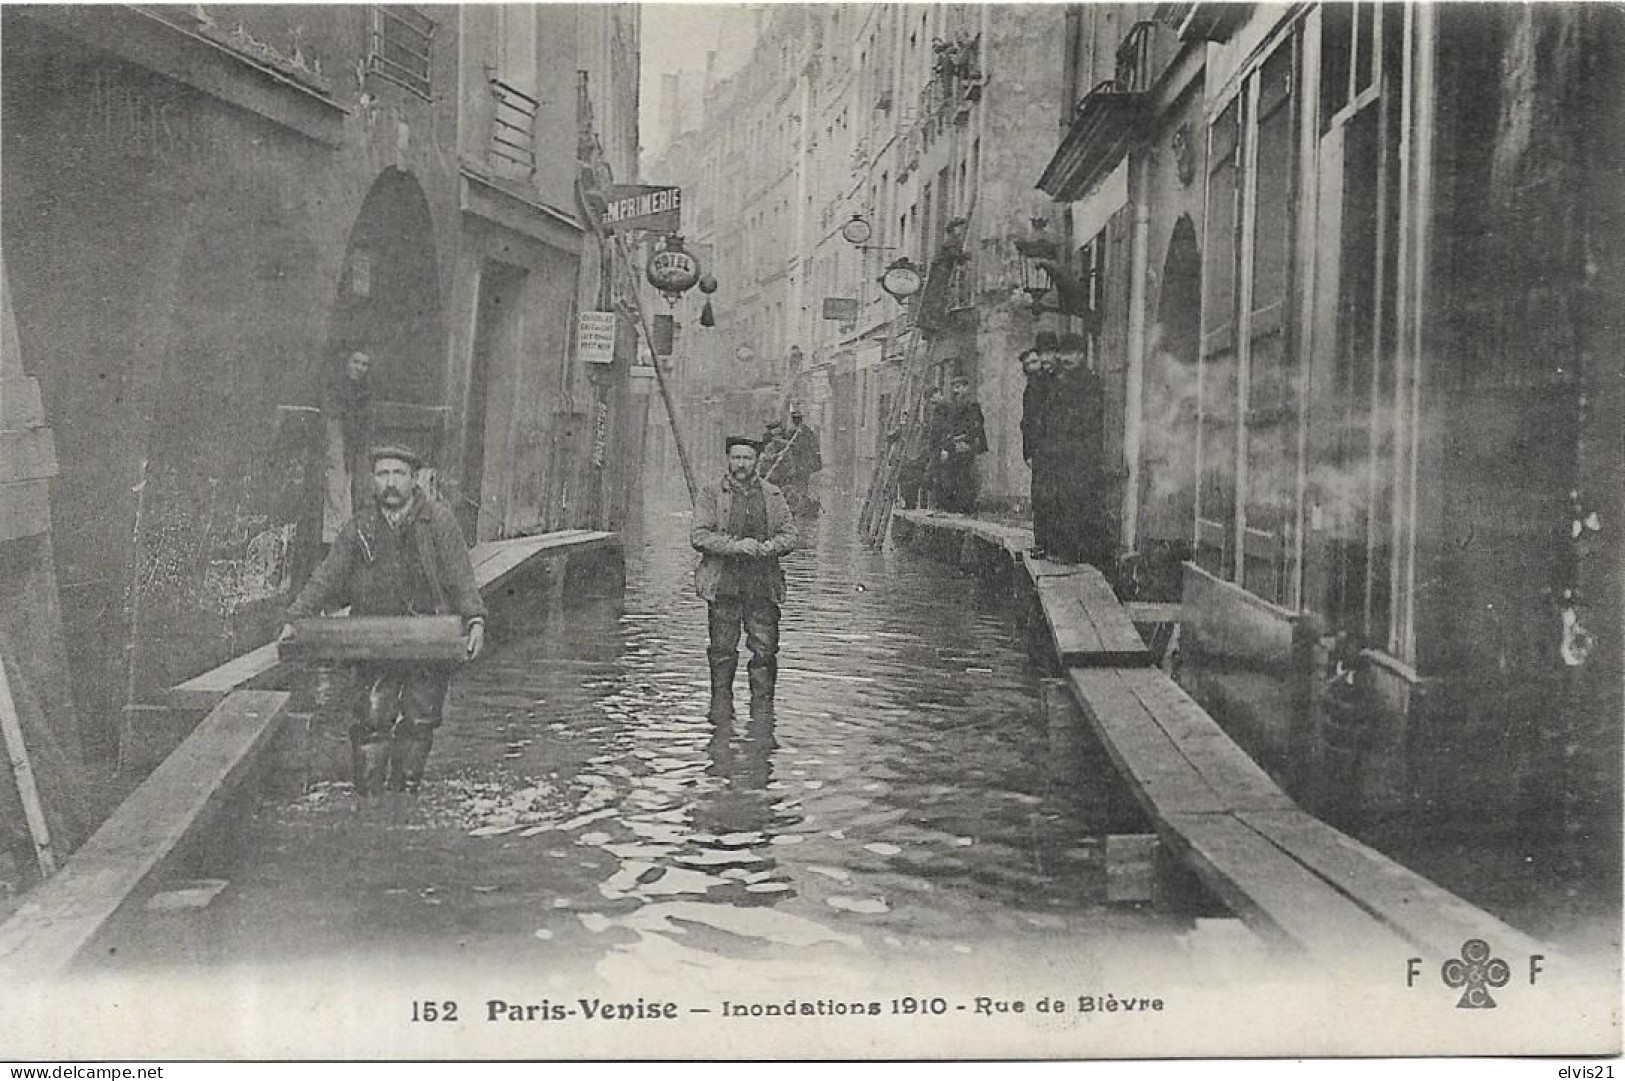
point(1163, 781)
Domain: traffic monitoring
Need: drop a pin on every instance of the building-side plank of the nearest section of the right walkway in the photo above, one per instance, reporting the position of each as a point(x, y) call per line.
point(1424, 913)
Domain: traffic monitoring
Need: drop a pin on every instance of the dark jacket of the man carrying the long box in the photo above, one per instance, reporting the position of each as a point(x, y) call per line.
point(352, 576)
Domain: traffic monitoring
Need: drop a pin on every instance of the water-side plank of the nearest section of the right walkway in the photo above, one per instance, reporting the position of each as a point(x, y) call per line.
point(1278, 896)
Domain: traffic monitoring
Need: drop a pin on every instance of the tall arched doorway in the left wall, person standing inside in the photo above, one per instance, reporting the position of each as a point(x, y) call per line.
point(388, 310)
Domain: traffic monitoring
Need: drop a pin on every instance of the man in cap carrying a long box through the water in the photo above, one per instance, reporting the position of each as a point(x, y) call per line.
point(402, 557)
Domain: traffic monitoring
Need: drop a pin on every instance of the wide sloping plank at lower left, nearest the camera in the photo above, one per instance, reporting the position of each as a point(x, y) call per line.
point(61, 918)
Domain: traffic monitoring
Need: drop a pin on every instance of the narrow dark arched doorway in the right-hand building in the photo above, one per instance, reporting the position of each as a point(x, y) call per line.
point(1168, 479)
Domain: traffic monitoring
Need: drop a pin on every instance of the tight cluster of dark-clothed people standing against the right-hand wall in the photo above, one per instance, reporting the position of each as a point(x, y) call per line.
point(1064, 415)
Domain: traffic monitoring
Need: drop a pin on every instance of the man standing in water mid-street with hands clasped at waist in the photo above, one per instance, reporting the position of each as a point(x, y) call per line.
point(742, 527)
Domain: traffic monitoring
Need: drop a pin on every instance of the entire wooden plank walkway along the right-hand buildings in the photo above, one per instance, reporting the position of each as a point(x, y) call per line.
point(1299, 883)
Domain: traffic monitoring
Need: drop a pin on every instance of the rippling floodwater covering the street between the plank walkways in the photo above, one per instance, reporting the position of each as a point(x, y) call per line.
point(906, 805)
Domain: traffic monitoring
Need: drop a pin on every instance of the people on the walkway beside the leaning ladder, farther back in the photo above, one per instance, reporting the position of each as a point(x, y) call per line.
point(940, 456)
